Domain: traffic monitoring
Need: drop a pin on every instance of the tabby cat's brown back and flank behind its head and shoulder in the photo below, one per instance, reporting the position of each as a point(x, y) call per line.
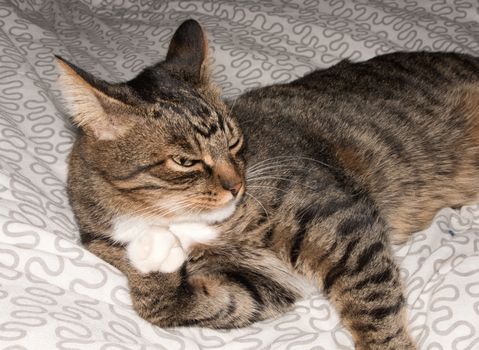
point(402, 125)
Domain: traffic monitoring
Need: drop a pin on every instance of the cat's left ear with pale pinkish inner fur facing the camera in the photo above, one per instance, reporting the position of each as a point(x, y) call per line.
point(89, 105)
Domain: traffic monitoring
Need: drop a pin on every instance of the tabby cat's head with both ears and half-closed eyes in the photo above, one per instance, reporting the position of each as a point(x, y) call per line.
point(163, 142)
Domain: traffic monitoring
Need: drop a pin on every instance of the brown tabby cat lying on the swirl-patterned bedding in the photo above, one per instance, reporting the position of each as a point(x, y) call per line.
point(318, 176)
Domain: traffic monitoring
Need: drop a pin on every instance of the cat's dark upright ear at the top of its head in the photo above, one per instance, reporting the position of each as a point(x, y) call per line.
point(188, 51)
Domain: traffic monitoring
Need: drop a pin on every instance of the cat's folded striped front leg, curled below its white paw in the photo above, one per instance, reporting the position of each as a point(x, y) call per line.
point(216, 291)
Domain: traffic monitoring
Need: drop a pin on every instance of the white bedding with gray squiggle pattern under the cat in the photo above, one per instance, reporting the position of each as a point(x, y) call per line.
point(56, 295)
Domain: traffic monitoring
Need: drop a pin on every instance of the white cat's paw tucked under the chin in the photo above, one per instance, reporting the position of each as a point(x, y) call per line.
point(156, 250)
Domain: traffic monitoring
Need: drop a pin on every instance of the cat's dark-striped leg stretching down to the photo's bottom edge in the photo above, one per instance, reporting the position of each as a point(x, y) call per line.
point(348, 253)
